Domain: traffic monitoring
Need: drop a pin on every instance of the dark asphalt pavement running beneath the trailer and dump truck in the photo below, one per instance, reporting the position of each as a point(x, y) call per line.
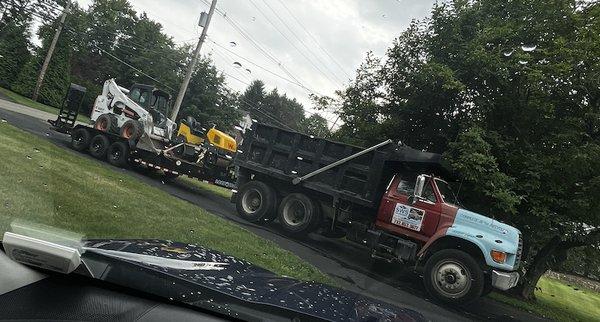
point(352, 267)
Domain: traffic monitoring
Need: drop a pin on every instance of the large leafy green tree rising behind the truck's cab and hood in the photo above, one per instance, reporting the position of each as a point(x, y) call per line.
point(508, 90)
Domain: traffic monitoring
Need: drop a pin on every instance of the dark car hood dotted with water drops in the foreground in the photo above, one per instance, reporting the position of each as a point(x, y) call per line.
point(222, 279)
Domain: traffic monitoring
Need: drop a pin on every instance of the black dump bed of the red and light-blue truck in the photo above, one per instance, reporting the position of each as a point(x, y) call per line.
point(285, 155)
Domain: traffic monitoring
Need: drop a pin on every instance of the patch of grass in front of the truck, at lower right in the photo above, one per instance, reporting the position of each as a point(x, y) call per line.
point(559, 301)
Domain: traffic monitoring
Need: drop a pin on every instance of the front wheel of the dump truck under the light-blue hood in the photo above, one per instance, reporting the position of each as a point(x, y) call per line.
point(453, 276)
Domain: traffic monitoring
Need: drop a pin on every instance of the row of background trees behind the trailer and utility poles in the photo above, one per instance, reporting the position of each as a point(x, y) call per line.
point(104, 41)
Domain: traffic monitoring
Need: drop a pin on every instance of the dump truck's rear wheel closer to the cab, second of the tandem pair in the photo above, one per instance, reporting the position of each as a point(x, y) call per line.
point(298, 214)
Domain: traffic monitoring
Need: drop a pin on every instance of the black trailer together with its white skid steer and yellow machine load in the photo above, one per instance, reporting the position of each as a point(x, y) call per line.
point(130, 126)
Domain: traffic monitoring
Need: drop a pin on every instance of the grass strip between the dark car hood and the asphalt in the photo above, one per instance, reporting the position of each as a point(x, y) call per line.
point(48, 185)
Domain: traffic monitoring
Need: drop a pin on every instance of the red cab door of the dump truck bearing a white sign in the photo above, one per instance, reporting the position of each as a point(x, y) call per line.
point(397, 215)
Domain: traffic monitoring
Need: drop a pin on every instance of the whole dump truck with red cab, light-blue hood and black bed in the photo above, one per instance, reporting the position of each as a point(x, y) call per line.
point(390, 199)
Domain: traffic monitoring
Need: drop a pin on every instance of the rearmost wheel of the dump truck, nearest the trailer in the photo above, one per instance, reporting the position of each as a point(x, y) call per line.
point(256, 202)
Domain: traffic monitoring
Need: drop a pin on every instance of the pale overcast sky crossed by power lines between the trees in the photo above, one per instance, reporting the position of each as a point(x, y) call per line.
point(286, 30)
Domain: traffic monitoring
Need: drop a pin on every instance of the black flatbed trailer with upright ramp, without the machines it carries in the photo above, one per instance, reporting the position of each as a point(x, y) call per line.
point(121, 152)
